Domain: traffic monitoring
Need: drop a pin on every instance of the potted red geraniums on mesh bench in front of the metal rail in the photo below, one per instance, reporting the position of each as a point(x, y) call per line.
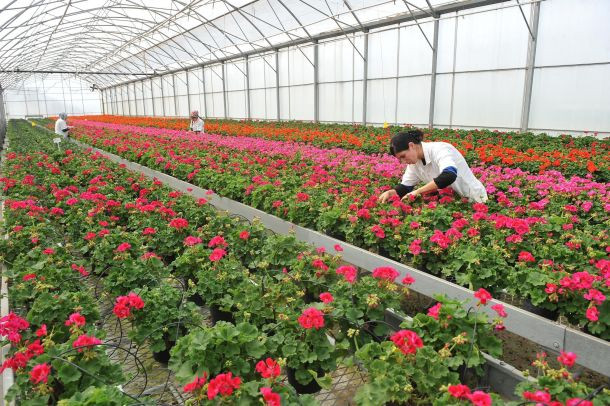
point(74, 218)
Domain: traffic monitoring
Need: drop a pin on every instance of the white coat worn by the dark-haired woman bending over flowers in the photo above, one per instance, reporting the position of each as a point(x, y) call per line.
point(438, 156)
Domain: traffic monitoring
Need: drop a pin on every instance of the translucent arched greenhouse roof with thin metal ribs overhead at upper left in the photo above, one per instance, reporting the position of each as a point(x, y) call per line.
point(140, 37)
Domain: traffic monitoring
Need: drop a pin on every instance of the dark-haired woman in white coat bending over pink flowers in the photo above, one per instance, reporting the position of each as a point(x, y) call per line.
point(437, 164)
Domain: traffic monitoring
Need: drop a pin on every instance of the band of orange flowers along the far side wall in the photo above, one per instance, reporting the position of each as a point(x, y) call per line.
point(531, 152)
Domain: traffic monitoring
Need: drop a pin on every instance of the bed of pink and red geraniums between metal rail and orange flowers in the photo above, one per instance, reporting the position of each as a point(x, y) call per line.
point(542, 237)
